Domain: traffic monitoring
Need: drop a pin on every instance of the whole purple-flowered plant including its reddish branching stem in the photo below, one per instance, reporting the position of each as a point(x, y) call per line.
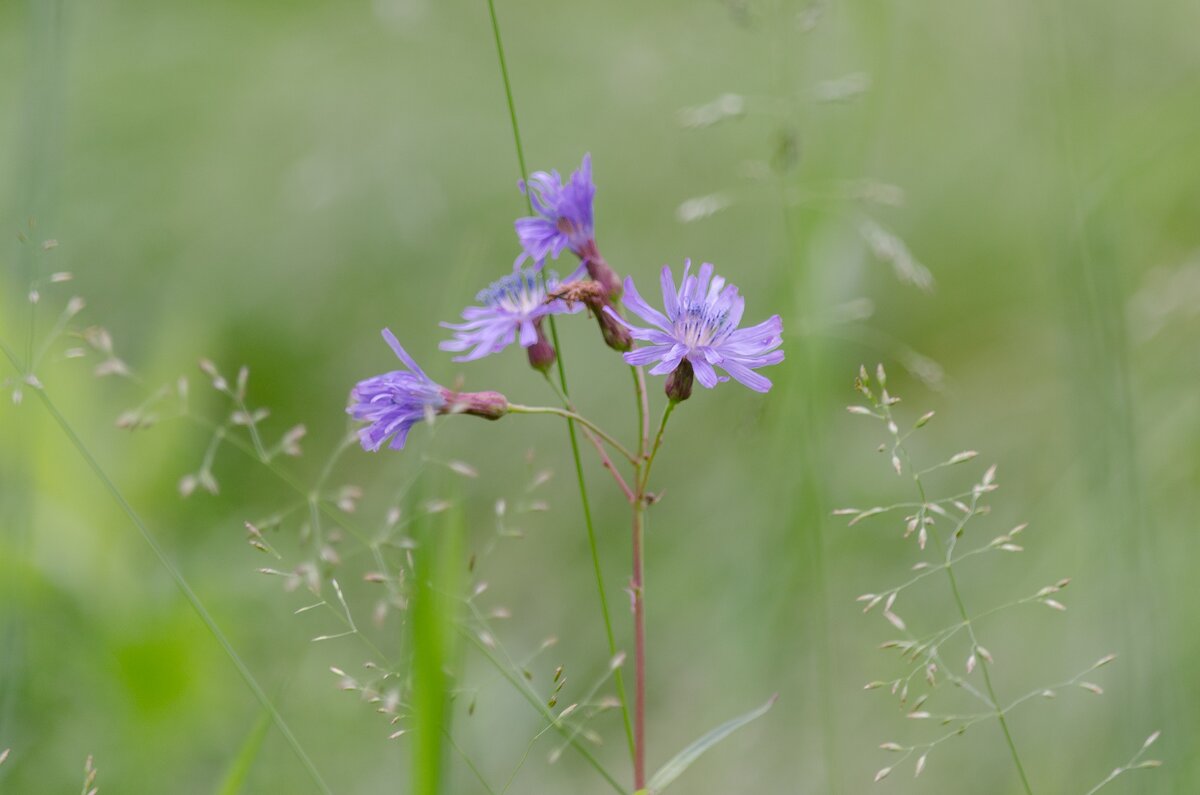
point(697, 337)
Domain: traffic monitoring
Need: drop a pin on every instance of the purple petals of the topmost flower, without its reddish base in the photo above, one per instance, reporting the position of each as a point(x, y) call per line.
point(565, 216)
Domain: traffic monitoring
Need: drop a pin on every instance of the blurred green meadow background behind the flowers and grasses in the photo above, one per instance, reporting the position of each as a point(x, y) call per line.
point(272, 183)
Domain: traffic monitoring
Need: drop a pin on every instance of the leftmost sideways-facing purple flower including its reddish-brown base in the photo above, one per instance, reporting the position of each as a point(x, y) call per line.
point(393, 403)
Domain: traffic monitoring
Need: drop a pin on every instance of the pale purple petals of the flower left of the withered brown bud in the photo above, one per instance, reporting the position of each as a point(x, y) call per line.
point(512, 308)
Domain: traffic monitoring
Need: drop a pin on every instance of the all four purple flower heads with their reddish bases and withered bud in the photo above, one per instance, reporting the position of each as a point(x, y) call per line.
point(694, 336)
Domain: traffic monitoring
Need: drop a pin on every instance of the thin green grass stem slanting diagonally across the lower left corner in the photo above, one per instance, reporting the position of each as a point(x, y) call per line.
point(181, 583)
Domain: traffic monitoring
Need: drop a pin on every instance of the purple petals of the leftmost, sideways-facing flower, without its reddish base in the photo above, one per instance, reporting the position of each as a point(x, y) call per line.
point(394, 402)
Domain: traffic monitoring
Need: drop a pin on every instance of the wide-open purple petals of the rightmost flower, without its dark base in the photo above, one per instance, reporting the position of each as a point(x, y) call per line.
point(701, 328)
